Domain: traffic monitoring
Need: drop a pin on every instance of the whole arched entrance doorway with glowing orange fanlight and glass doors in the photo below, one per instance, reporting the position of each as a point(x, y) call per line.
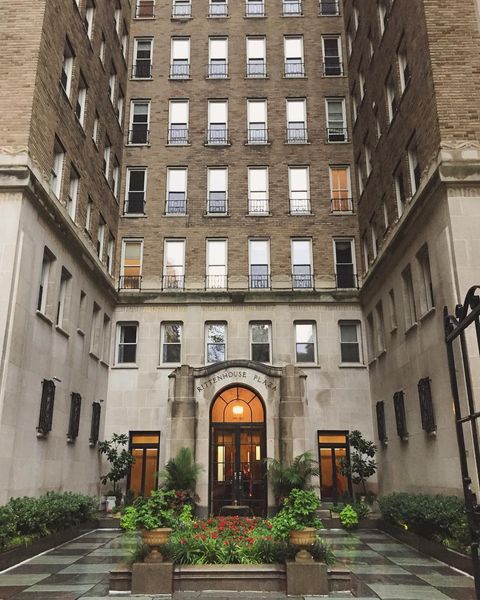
point(237, 451)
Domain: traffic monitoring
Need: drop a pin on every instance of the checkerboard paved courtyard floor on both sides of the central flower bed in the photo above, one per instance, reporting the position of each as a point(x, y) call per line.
point(390, 571)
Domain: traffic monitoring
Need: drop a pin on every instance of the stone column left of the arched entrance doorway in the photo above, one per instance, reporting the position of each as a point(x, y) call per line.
point(183, 411)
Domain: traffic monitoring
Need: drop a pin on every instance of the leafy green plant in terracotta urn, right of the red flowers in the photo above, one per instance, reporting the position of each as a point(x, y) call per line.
point(298, 521)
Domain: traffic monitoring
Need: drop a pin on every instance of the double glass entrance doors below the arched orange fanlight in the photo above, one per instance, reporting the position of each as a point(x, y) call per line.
point(238, 468)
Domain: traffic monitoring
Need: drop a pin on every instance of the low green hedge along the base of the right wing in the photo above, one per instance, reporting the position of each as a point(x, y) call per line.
point(439, 518)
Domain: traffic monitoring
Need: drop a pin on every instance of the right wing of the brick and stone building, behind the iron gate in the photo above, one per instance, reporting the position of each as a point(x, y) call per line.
point(414, 89)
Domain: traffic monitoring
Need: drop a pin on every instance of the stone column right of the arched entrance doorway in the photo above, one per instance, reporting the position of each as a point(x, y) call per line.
point(292, 413)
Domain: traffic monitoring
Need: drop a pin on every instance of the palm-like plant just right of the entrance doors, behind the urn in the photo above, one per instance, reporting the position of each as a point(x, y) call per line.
point(285, 477)
